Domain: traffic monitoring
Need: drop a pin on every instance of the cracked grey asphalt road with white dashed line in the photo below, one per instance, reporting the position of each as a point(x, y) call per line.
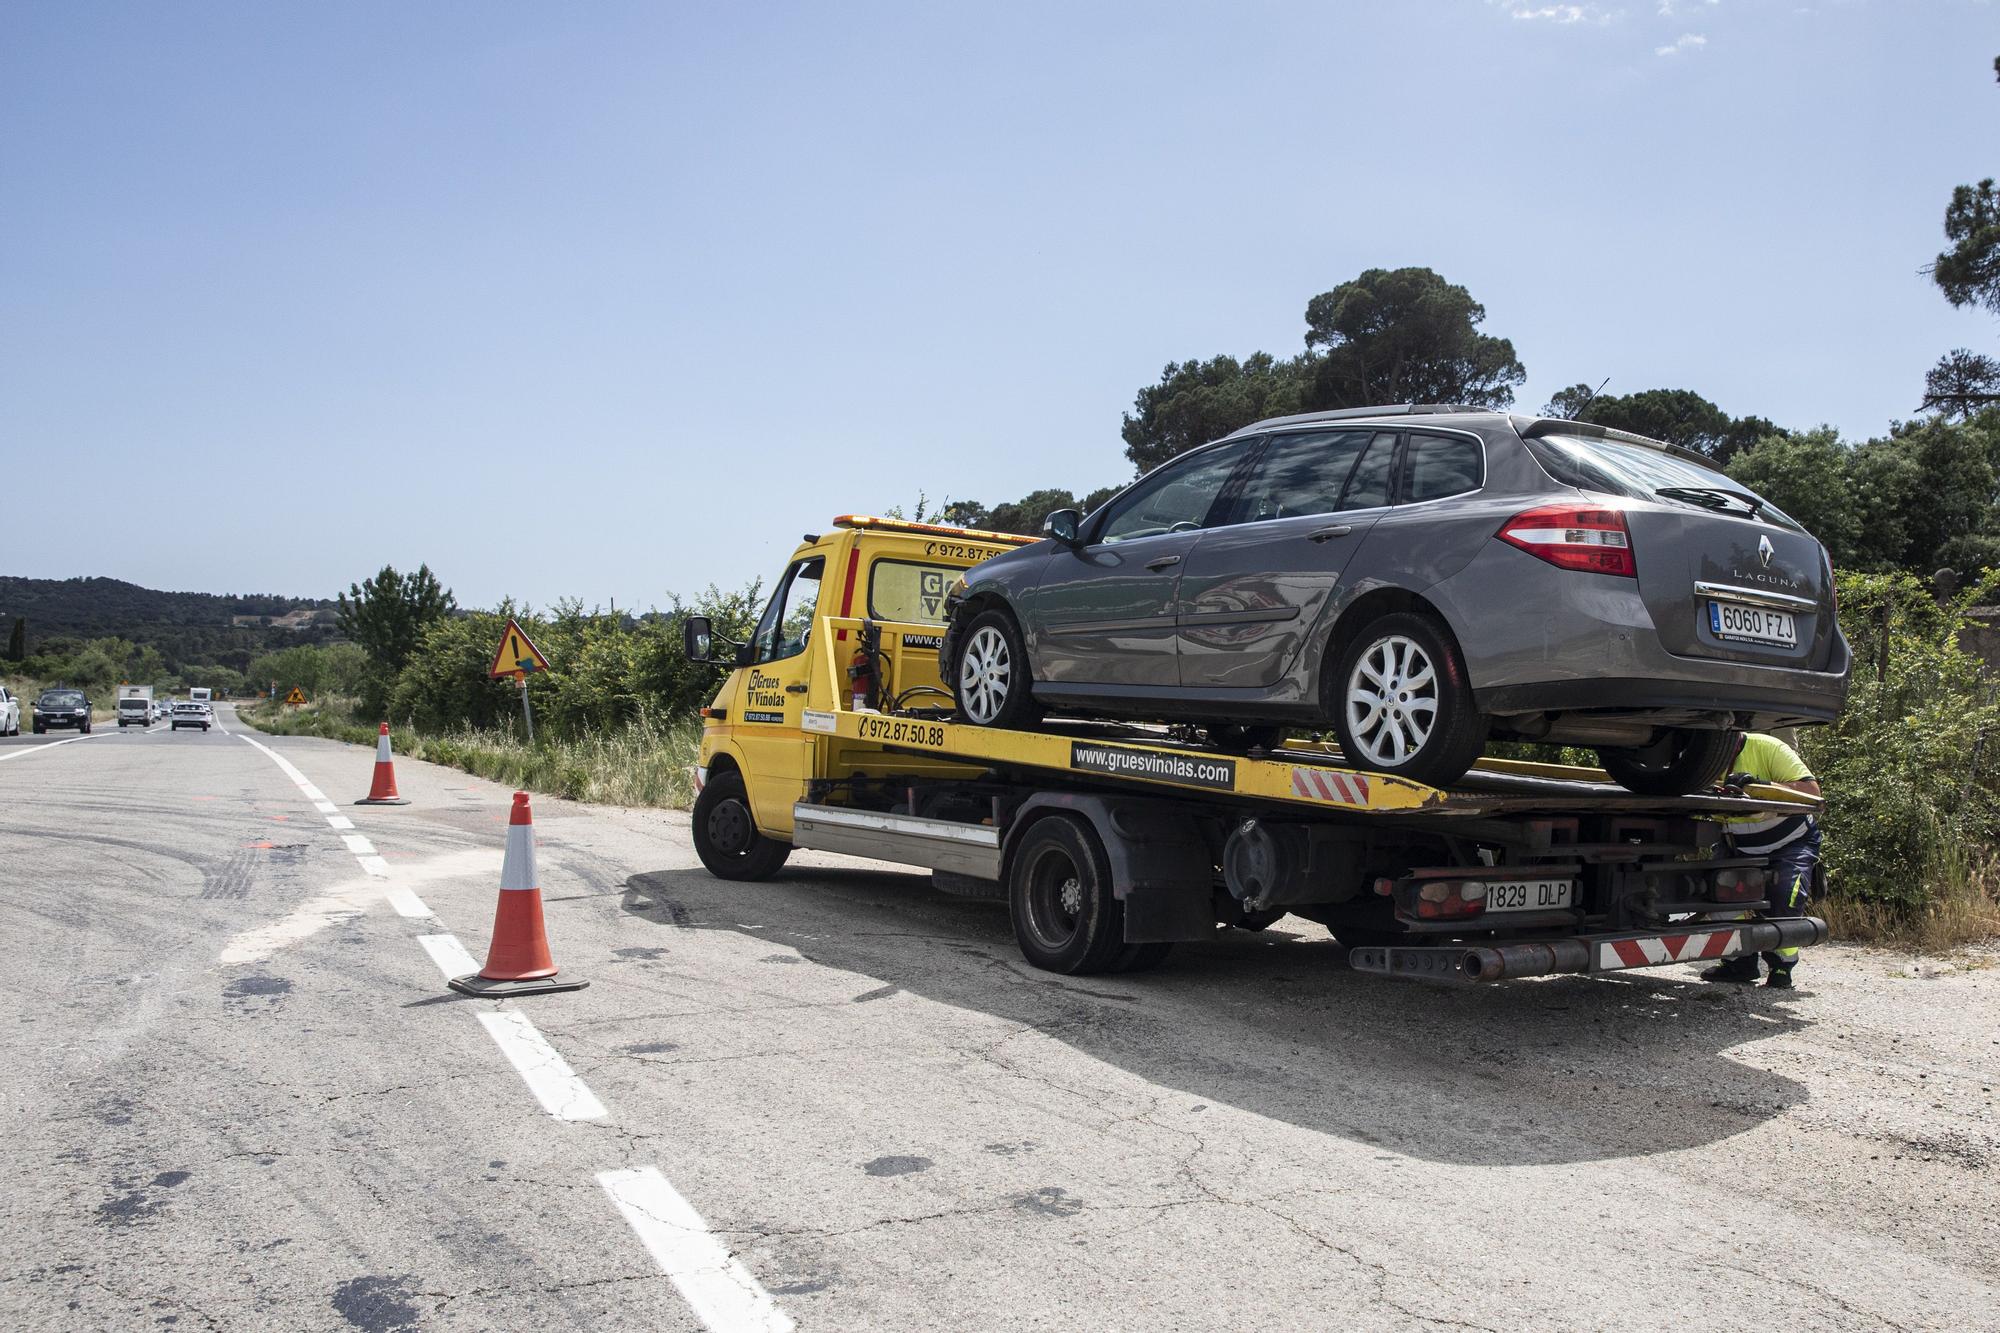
point(241, 1098)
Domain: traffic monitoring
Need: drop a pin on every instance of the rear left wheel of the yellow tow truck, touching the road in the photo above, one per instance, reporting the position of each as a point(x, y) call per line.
point(1067, 918)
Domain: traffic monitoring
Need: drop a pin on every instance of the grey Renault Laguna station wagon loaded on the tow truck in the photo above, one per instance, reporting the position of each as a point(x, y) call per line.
point(1419, 579)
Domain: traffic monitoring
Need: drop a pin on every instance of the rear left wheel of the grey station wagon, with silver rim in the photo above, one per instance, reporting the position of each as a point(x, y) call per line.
point(1407, 665)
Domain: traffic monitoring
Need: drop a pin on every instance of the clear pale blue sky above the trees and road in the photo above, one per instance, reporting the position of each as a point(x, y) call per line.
point(613, 301)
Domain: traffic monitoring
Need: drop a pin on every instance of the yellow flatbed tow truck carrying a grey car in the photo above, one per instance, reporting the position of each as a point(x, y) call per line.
point(1111, 842)
